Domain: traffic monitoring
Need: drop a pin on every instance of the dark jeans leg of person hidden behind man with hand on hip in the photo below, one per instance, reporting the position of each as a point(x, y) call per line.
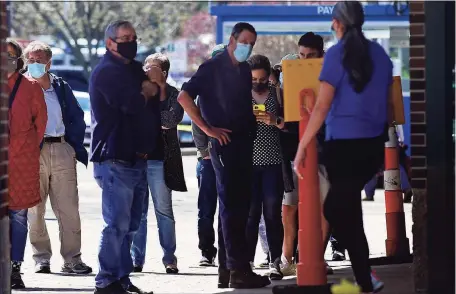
point(207, 204)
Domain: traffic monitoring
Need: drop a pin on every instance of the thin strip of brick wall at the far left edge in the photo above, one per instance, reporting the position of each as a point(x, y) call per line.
point(3, 113)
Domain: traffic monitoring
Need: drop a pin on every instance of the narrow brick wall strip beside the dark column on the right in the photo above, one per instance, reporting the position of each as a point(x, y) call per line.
point(417, 95)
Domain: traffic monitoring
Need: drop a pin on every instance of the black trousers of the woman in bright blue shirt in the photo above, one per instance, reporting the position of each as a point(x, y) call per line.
point(350, 164)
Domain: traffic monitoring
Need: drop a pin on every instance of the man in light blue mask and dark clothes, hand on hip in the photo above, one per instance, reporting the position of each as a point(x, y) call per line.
point(224, 85)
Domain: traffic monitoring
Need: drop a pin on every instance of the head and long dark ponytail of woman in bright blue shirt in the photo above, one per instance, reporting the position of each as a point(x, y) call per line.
point(356, 56)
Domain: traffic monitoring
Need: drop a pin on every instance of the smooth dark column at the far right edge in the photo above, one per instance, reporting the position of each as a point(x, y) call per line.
point(440, 61)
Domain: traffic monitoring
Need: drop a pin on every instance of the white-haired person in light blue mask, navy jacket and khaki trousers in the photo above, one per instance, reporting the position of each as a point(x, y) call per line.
point(61, 147)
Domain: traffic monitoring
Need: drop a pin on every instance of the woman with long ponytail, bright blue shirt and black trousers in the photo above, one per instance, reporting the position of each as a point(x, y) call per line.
point(353, 99)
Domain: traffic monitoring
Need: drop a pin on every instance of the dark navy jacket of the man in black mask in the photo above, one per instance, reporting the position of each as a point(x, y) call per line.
point(123, 124)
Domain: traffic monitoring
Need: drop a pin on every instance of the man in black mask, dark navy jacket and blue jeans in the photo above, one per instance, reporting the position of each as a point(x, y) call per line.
point(126, 120)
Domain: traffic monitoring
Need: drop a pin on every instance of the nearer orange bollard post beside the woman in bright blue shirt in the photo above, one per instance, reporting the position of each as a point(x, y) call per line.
point(311, 269)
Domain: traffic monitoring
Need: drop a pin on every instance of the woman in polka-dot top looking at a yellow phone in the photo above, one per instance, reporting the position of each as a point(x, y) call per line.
point(267, 160)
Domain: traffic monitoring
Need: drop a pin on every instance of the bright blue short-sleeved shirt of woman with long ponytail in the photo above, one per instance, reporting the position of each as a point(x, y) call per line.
point(357, 115)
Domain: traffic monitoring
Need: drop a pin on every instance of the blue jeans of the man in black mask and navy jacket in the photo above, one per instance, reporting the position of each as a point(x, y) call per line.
point(124, 187)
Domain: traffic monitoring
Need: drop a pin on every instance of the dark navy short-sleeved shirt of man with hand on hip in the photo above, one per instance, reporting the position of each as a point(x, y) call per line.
point(225, 94)
